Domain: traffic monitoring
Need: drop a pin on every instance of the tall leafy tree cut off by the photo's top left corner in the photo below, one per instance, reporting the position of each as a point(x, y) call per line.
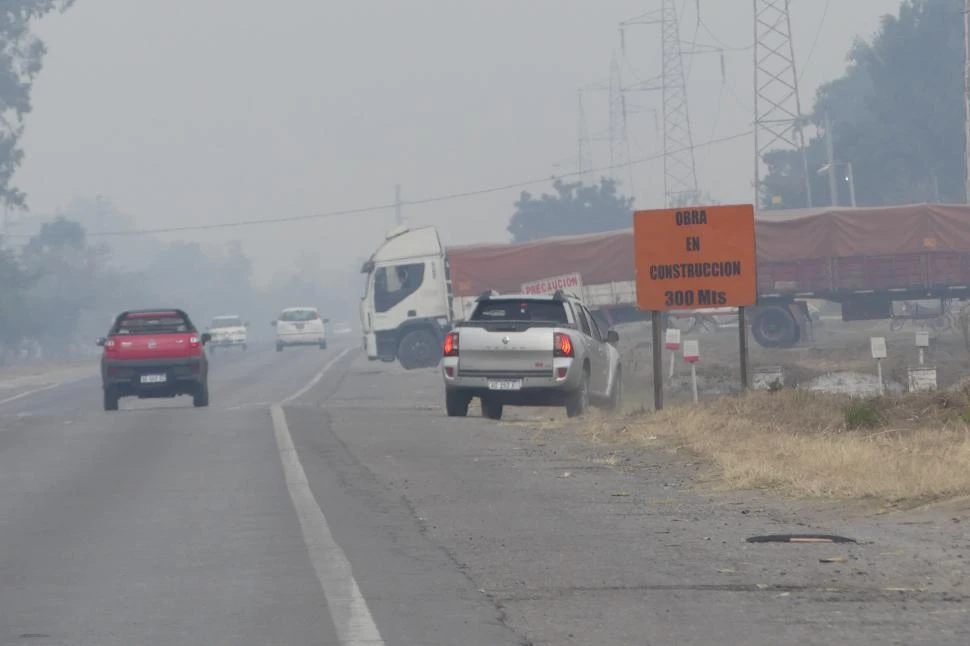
point(21, 59)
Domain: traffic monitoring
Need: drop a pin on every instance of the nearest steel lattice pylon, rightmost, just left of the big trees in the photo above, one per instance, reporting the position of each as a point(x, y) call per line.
point(778, 111)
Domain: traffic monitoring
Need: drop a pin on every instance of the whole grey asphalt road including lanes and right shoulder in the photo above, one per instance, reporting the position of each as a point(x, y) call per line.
point(322, 499)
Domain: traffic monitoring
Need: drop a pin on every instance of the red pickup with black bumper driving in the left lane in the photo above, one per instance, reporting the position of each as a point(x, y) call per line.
point(154, 353)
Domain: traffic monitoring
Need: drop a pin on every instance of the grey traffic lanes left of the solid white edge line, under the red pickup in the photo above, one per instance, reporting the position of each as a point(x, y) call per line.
point(162, 525)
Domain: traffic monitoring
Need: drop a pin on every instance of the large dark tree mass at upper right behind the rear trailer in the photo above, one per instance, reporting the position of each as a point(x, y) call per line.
point(896, 115)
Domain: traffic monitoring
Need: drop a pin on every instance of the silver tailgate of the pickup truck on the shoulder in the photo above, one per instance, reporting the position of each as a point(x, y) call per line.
point(505, 349)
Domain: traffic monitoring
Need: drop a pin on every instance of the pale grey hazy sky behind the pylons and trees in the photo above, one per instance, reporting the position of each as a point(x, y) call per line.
point(204, 111)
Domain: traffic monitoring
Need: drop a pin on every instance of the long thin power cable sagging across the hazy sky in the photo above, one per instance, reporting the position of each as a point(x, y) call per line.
point(446, 197)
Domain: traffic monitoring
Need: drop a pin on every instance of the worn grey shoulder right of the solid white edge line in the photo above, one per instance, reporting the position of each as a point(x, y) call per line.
point(573, 543)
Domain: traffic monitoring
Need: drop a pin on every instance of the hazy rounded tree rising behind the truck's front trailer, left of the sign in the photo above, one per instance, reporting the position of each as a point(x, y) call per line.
point(574, 209)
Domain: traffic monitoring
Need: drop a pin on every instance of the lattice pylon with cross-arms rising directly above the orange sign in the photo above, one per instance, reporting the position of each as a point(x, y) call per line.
point(680, 170)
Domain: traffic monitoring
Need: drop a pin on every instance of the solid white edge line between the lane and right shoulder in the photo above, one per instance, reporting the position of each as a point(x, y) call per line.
point(348, 609)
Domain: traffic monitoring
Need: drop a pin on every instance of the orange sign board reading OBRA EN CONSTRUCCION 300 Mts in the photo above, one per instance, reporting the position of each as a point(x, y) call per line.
point(695, 257)
